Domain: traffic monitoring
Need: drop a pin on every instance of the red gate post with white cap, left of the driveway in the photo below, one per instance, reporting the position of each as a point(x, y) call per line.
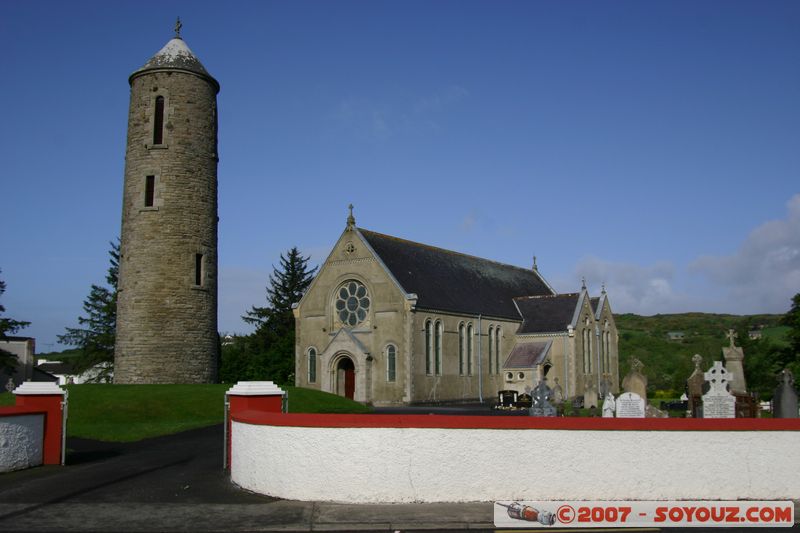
point(48, 397)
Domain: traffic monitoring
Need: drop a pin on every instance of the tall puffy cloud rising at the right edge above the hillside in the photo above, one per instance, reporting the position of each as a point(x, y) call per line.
point(764, 273)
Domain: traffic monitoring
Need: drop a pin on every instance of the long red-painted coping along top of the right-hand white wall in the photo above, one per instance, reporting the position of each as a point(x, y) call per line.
point(516, 422)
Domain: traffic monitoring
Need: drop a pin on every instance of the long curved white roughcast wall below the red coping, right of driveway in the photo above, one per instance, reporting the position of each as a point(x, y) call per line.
point(378, 465)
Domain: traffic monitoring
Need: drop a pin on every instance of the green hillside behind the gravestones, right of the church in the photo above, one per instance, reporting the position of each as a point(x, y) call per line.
point(668, 362)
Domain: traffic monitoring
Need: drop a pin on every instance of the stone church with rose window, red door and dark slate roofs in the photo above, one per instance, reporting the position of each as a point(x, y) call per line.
point(389, 321)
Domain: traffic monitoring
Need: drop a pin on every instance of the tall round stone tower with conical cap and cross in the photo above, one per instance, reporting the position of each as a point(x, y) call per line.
point(167, 299)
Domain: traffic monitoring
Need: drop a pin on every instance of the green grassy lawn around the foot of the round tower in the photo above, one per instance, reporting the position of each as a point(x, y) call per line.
point(125, 413)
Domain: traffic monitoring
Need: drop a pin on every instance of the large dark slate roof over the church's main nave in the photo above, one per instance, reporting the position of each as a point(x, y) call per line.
point(450, 281)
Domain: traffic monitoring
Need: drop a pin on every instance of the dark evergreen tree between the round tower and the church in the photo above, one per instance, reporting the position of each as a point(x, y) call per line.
point(270, 349)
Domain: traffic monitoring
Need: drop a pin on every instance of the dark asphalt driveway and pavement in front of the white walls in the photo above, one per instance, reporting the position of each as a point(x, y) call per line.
point(176, 483)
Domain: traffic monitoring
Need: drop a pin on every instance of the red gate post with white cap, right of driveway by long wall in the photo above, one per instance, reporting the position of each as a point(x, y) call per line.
point(261, 396)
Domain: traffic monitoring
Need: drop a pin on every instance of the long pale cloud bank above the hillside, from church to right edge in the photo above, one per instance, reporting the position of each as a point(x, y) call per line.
point(761, 276)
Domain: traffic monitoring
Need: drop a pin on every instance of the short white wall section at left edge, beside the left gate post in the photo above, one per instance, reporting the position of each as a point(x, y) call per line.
point(21, 440)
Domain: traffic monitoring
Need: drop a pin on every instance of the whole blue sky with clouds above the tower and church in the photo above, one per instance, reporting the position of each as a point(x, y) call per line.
point(652, 146)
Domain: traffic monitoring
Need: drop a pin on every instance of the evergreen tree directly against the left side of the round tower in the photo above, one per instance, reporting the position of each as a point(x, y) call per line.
point(95, 338)
